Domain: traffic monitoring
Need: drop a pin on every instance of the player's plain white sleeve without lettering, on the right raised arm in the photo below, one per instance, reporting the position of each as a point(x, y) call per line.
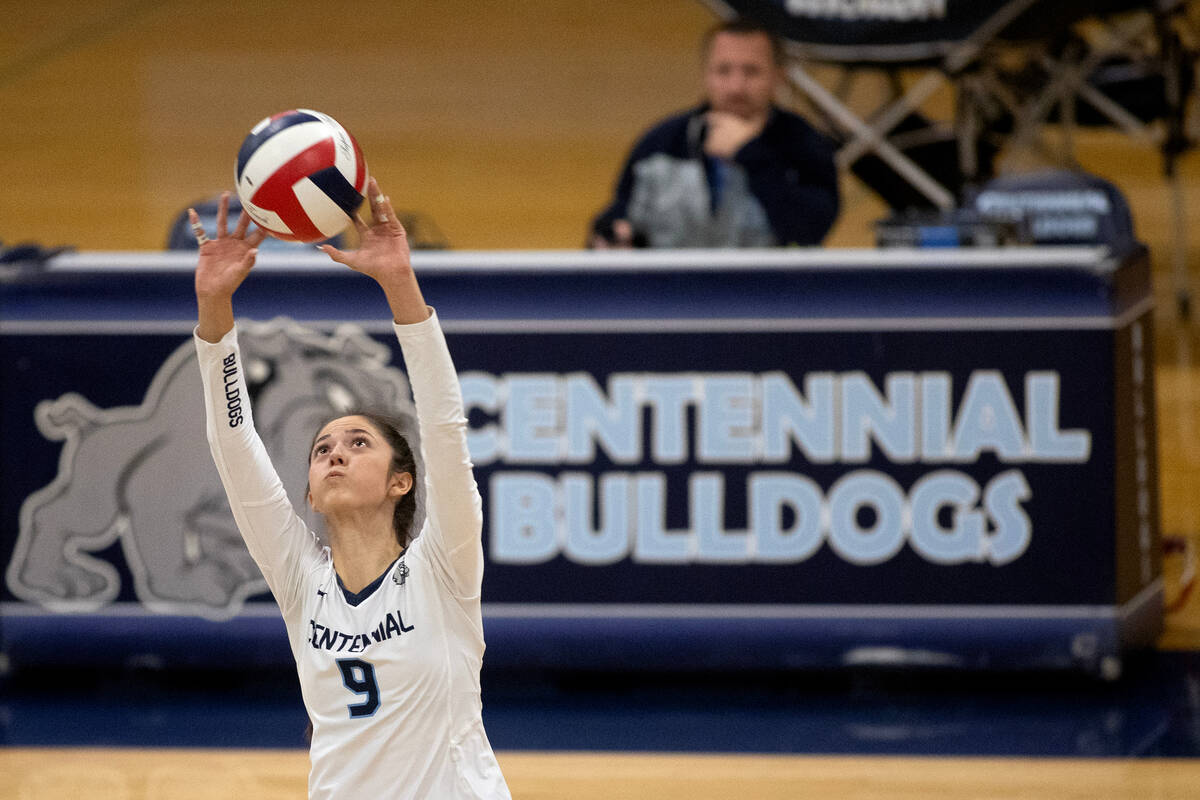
point(454, 509)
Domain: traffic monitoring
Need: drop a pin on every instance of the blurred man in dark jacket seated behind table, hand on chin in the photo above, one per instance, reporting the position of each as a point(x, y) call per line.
point(735, 172)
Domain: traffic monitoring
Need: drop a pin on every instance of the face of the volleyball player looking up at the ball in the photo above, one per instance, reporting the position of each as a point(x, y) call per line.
point(350, 468)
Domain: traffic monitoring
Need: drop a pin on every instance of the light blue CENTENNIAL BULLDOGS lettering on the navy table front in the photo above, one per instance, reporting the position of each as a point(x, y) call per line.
point(946, 515)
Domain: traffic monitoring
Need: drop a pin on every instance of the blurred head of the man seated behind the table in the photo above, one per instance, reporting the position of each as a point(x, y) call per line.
point(740, 75)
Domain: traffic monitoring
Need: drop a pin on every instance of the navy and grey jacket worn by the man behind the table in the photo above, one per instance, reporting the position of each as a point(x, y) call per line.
point(779, 189)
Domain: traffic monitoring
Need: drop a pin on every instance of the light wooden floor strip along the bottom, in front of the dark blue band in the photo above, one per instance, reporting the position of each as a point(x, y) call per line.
point(281, 775)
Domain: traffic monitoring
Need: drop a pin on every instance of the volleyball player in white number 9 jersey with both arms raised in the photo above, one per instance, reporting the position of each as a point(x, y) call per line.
point(386, 623)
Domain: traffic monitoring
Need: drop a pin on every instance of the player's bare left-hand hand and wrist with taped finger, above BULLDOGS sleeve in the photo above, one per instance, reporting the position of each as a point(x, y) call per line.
point(224, 264)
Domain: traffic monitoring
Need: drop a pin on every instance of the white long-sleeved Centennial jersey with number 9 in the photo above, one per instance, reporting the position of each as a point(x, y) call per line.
point(391, 676)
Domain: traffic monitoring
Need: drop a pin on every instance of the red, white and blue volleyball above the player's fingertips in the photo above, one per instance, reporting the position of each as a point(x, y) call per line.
point(302, 176)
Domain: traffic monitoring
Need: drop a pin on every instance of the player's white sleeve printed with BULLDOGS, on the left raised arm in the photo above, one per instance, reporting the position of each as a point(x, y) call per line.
point(277, 537)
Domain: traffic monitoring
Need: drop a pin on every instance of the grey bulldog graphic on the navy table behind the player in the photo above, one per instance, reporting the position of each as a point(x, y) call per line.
point(142, 476)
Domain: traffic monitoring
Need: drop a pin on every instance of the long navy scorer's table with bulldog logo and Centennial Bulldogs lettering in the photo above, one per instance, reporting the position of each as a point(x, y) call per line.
point(905, 465)
